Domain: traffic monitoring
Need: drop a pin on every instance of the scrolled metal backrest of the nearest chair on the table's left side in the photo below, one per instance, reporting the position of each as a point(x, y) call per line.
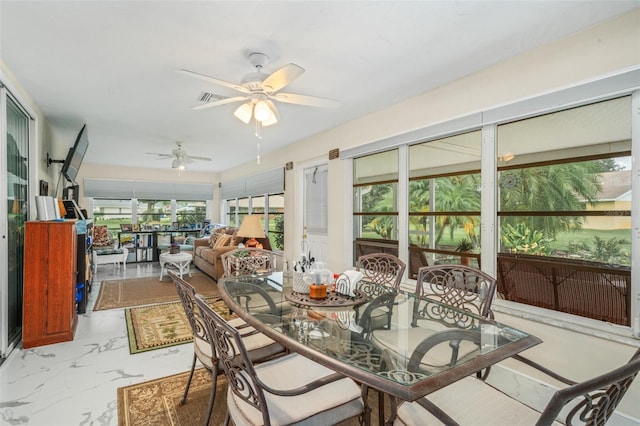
point(234, 359)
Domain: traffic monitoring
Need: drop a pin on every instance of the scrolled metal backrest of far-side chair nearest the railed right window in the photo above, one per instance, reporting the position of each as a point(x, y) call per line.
point(463, 287)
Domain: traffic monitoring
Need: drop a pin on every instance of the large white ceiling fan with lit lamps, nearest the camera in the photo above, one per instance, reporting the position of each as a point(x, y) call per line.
point(259, 90)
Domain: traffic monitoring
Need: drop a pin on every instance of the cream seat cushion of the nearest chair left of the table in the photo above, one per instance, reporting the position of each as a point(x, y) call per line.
point(327, 405)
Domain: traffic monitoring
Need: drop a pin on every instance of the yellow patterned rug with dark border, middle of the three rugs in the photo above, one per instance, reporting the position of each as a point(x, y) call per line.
point(163, 325)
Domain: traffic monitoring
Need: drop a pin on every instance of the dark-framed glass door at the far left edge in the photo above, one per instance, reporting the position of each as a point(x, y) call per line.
point(17, 195)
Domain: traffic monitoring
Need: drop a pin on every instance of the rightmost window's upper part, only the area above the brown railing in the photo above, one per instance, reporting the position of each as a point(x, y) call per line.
point(565, 184)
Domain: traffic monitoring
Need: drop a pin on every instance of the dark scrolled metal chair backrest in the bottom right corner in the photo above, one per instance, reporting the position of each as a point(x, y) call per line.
point(600, 396)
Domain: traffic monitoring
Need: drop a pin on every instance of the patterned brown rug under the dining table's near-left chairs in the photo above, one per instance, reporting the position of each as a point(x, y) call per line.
point(157, 402)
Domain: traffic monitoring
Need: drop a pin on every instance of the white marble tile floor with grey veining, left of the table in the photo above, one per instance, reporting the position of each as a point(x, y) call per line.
point(75, 383)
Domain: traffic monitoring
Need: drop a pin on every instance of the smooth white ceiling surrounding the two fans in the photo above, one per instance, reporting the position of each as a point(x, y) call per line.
point(112, 64)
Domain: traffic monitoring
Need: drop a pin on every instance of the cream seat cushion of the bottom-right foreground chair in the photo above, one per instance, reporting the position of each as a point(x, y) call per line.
point(470, 401)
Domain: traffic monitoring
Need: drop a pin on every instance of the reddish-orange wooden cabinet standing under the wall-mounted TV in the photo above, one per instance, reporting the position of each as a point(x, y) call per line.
point(50, 269)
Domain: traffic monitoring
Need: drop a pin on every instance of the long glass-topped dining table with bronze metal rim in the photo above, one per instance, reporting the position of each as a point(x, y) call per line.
point(394, 342)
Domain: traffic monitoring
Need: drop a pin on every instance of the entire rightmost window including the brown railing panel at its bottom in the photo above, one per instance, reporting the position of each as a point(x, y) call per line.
point(565, 211)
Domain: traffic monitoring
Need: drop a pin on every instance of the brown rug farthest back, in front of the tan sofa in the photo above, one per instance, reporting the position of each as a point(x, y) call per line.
point(145, 291)
